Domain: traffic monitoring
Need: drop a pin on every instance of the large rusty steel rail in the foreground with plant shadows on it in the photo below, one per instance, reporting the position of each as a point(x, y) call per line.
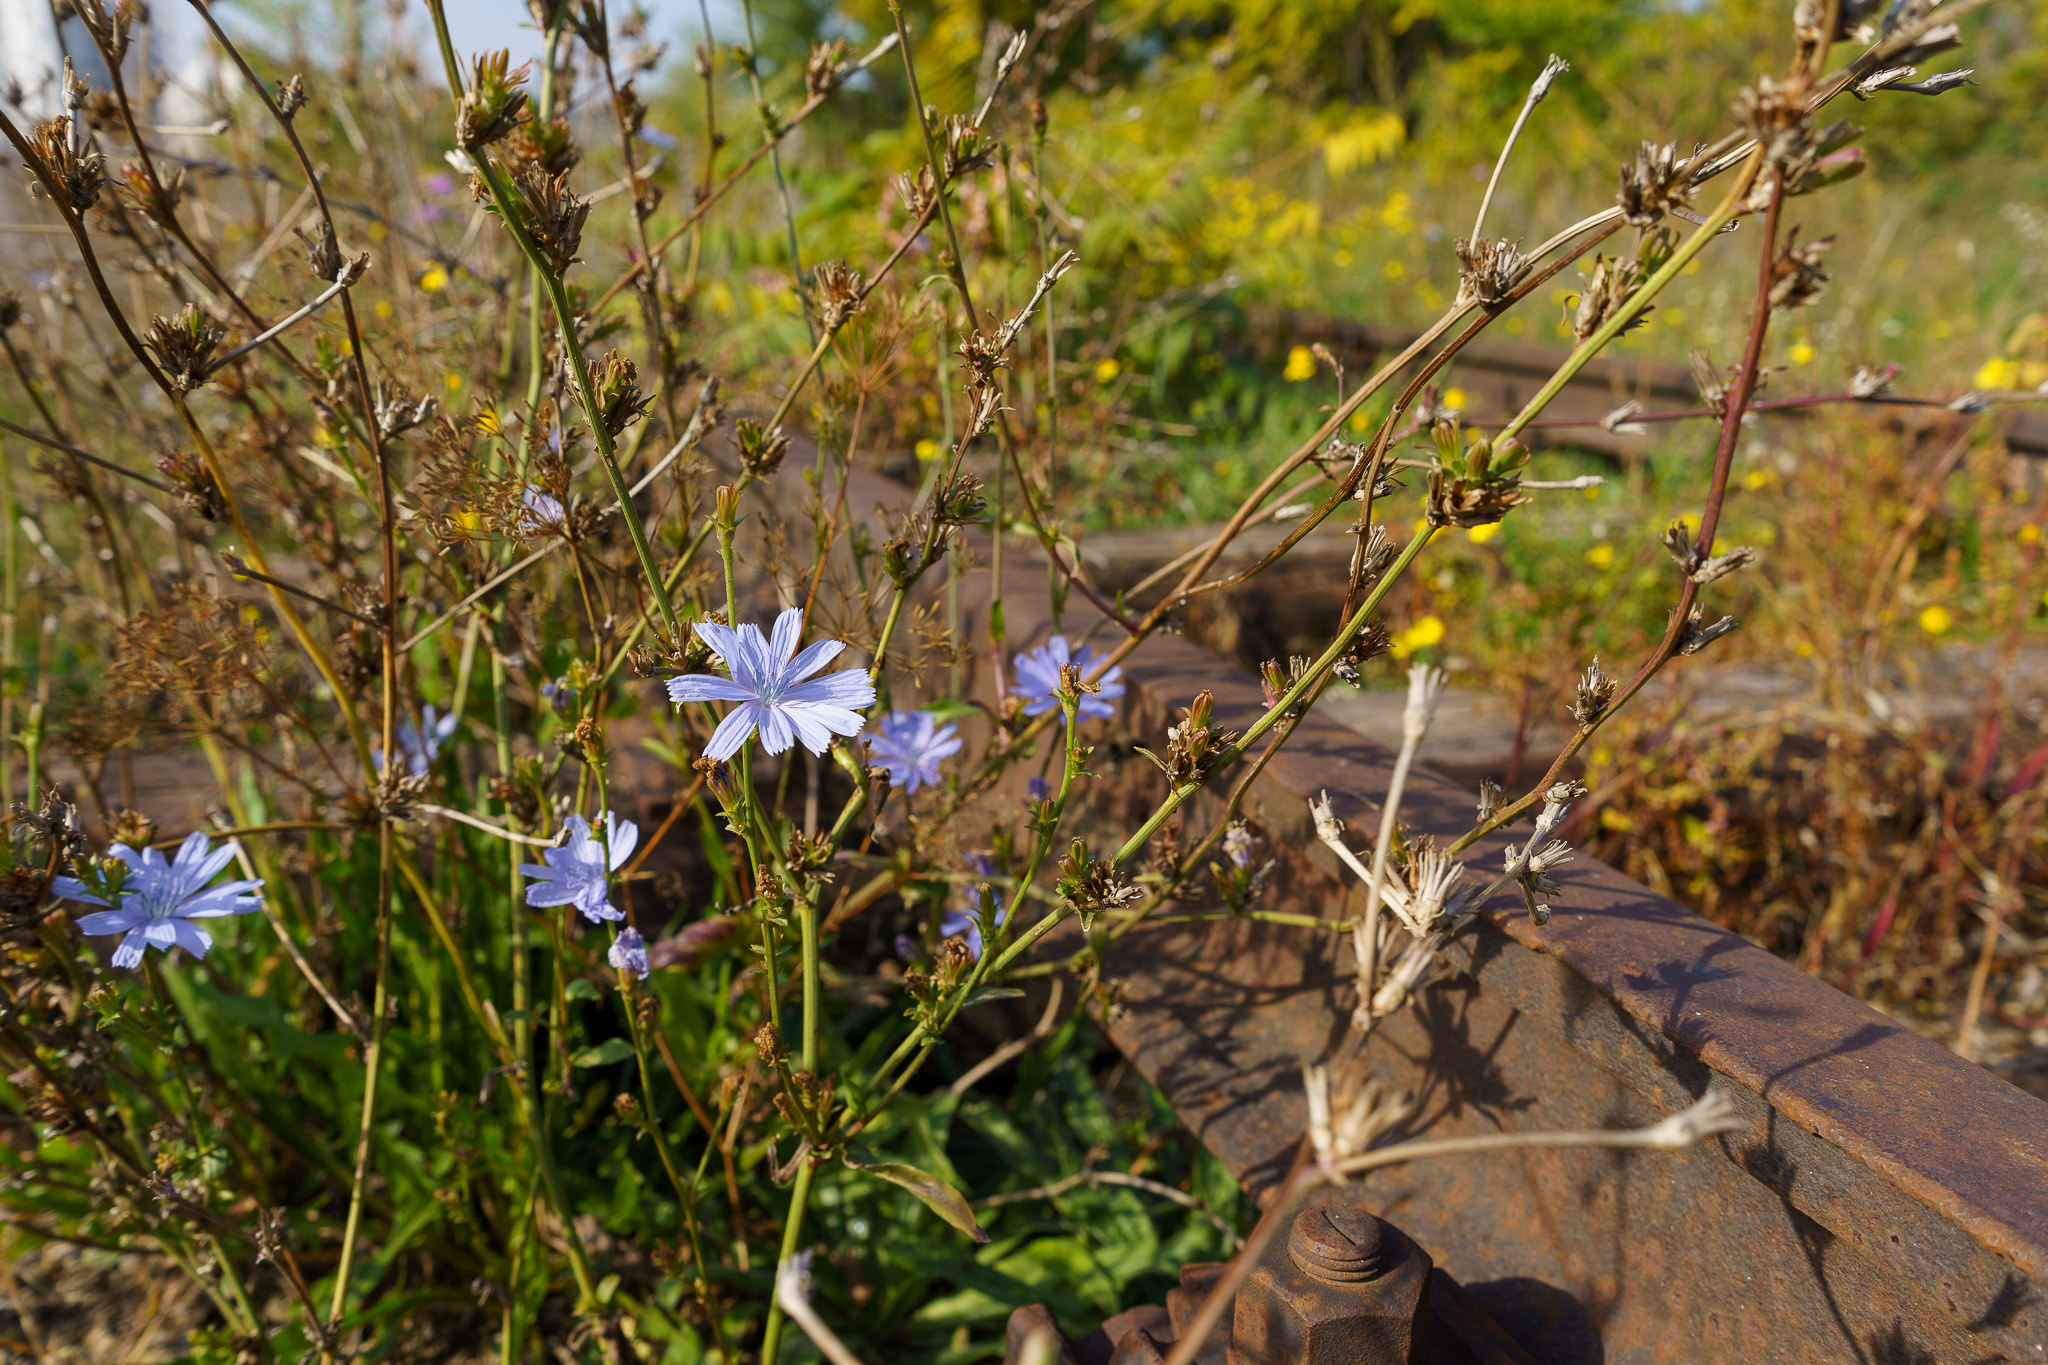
point(1887, 1202)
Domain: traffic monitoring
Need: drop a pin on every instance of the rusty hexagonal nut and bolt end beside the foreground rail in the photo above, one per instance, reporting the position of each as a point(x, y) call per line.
point(1340, 1290)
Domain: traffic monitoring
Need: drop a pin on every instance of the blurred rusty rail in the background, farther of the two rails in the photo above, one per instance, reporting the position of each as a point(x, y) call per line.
point(1504, 376)
